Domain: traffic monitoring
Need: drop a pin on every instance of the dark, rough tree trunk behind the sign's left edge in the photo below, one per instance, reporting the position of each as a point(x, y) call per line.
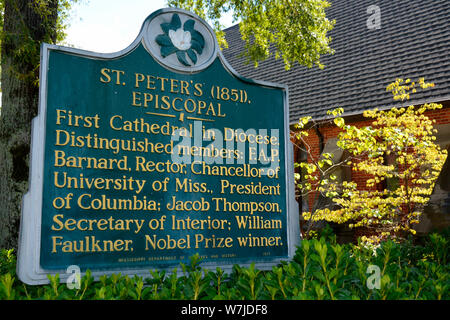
point(25, 27)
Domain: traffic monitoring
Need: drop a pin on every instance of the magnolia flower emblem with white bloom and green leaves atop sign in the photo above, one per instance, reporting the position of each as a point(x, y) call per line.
point(183, 41)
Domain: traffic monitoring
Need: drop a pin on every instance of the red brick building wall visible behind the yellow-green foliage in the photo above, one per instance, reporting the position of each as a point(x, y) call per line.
point(437, 212)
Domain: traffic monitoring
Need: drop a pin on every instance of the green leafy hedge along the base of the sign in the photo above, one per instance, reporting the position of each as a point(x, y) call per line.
point(321, 269)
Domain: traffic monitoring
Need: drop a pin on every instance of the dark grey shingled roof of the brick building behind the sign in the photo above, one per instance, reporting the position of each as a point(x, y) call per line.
point(413, 42)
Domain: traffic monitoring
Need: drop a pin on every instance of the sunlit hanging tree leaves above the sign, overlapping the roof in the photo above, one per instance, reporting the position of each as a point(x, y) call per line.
point(295, 31)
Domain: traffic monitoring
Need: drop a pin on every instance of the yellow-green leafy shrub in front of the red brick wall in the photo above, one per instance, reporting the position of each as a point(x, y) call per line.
point(398, 147)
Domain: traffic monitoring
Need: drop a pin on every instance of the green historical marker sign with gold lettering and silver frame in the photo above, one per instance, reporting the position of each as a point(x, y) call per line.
point(145, 157)
